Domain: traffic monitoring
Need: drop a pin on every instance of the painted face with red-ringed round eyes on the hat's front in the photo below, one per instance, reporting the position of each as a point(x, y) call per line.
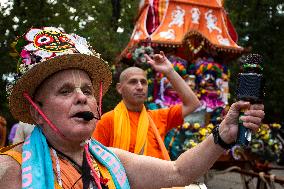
point(52, 41)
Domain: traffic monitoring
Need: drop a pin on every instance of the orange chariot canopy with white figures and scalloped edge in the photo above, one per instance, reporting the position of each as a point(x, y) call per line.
point(193, 24)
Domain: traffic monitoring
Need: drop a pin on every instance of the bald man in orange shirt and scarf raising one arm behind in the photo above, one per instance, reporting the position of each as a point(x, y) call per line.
point(133, 128)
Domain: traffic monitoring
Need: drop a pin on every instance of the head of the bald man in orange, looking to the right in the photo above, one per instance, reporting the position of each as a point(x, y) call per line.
point(133, 87)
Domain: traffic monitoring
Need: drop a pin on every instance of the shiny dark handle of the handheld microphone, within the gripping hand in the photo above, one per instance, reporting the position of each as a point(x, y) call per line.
point(244, 134)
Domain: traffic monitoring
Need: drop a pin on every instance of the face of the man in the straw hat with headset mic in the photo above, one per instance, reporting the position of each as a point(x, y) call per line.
point(62, 97)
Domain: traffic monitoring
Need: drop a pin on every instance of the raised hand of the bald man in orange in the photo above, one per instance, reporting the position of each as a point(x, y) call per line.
point(160, 63)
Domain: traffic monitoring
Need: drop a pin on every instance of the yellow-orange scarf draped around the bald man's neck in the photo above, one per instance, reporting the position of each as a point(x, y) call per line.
point(122, 131)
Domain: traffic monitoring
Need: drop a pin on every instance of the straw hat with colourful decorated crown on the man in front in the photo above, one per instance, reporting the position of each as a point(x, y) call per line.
point(47, 51)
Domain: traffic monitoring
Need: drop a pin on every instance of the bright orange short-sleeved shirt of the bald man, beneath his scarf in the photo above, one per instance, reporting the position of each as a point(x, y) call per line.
point(165, 120)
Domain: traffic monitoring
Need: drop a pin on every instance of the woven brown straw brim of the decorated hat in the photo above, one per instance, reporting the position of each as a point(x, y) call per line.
point(96, 68)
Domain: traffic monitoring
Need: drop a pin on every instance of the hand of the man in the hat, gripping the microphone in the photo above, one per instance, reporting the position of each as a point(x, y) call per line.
point(251, 119)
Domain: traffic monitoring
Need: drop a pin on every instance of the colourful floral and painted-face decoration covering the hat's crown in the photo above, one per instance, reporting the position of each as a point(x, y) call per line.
point(47, 43)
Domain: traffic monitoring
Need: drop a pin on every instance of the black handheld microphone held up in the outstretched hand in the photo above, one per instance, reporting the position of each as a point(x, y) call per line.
point(250, 88)
